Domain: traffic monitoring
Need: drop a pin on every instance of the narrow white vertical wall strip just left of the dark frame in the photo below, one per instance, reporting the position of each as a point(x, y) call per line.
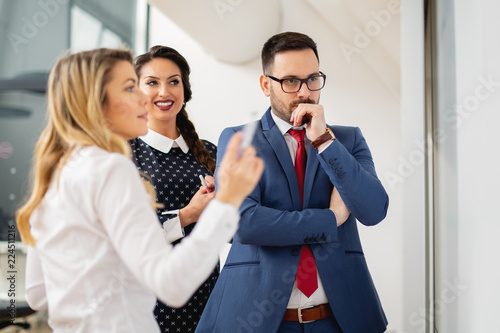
point(410, 175)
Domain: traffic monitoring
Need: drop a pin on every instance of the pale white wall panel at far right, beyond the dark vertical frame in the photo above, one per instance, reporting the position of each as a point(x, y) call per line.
point(468, 273)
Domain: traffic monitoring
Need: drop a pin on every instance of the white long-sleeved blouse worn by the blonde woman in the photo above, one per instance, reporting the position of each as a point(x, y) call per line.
point(100, 257)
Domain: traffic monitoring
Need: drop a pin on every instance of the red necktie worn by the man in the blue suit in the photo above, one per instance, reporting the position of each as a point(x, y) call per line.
point(307, 280)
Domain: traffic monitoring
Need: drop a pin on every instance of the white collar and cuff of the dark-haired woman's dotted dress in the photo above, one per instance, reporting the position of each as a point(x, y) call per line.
point(173, 228)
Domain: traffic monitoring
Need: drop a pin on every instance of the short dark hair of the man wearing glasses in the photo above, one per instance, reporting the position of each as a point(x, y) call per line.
point(285, 41)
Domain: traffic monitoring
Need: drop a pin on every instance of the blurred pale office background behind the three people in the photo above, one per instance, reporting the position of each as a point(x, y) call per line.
point(420, 78)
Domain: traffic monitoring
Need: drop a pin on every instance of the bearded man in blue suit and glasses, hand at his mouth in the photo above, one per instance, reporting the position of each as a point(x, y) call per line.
point(296, 263)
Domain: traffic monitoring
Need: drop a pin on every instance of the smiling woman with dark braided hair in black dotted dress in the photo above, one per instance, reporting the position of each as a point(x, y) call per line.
point(174, 157)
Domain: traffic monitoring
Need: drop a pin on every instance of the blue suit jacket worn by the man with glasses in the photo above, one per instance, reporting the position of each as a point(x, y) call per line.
point(255, 284)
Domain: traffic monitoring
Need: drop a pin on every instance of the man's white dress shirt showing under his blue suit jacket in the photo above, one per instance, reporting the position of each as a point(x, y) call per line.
point(297, 298)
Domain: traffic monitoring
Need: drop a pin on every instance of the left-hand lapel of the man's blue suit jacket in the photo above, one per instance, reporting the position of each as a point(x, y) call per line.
point(278, 144)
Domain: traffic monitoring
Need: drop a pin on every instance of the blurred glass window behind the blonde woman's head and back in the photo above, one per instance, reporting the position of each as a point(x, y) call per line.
point(33, 35)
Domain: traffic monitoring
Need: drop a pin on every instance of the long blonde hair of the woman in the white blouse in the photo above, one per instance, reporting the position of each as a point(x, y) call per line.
point(76, 93)
